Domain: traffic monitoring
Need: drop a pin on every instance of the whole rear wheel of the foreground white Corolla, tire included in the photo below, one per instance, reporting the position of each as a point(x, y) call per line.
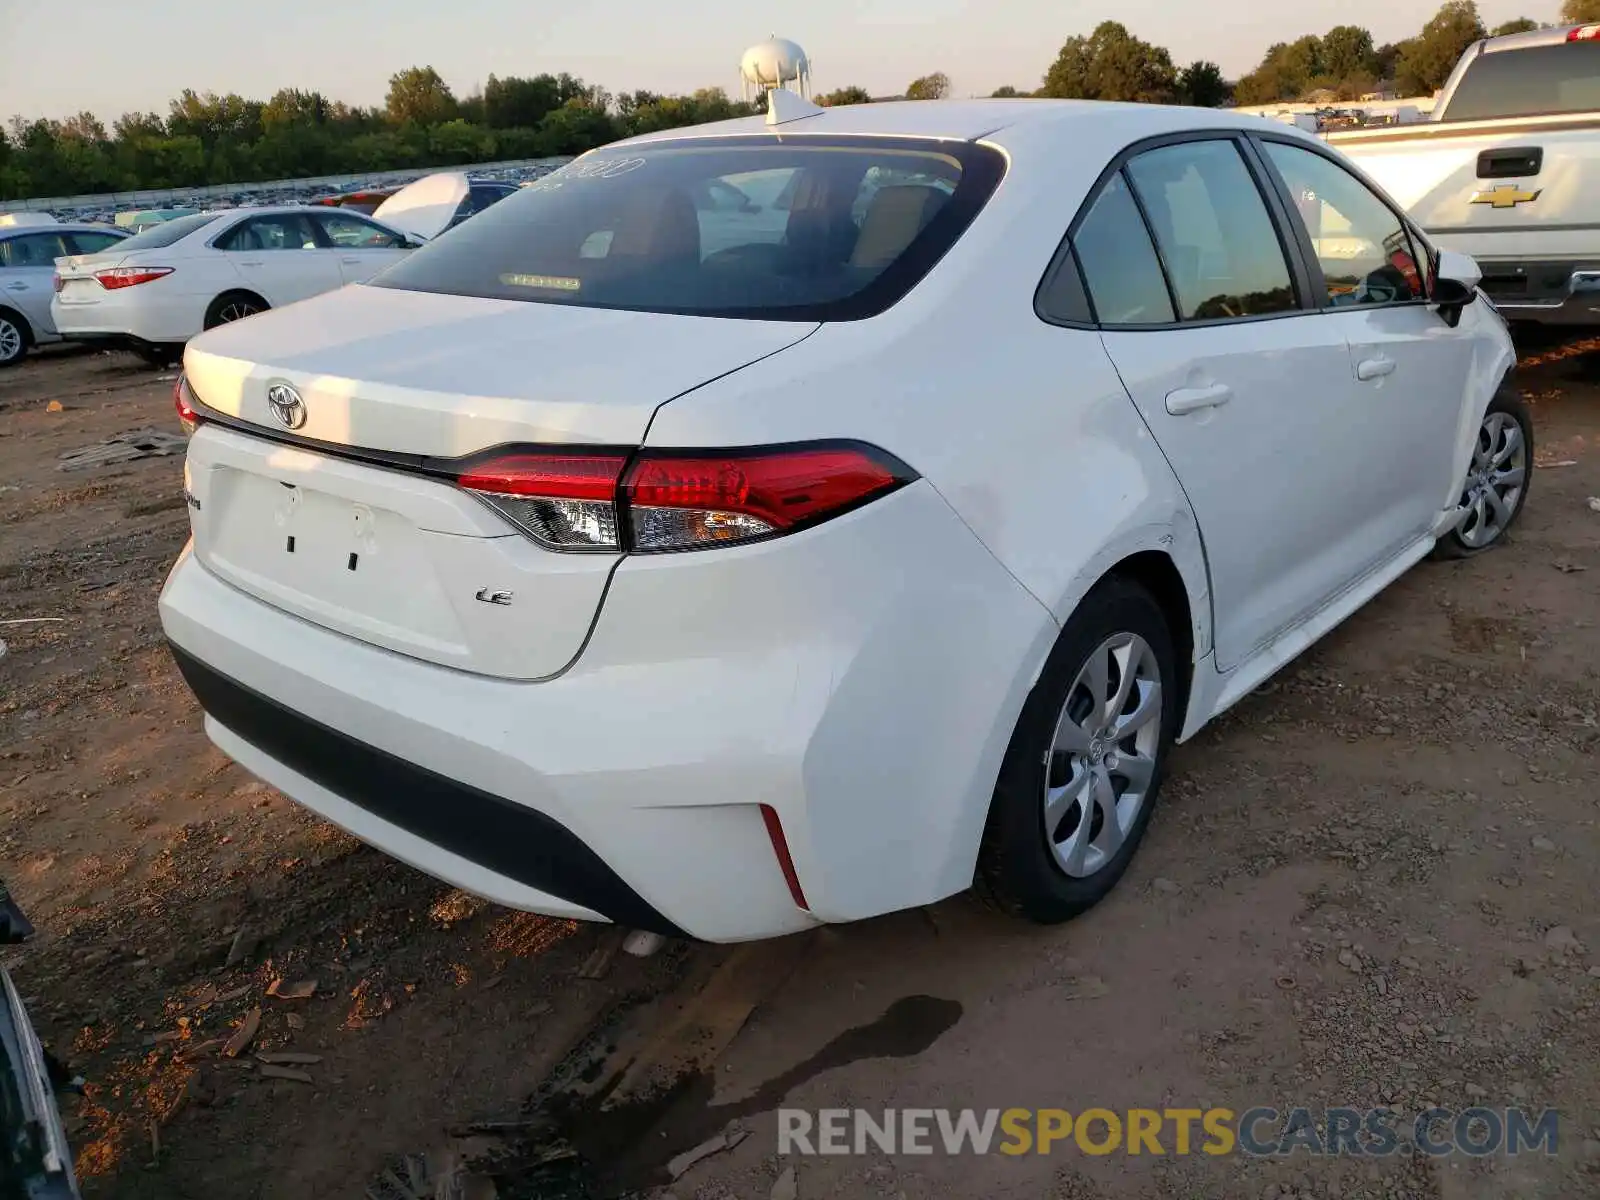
point(1086, 762)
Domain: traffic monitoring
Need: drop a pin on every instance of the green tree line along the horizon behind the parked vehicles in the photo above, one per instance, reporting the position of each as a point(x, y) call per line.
point(220, 140)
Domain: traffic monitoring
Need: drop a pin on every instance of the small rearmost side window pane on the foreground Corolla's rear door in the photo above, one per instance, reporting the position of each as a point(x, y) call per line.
point(1121, 268)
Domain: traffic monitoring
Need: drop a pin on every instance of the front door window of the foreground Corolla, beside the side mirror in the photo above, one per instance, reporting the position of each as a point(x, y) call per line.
point(1366, 252)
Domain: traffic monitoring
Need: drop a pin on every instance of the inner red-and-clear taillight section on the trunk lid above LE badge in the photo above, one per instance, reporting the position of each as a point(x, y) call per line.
point(562, 502)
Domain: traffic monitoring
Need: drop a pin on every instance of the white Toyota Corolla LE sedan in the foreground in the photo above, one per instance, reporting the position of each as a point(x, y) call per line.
point(759, 526)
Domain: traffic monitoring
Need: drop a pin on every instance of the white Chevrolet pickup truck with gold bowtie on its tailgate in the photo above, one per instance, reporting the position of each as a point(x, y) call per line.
point(1508, 170)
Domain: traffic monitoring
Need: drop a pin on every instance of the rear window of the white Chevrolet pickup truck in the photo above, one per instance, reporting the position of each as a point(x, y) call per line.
point(1532, 82)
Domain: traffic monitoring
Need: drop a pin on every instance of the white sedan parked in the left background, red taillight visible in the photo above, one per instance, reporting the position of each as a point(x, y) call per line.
point(159, 289)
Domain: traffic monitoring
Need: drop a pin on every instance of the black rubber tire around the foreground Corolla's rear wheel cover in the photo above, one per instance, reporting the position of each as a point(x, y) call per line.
point(1017, 868)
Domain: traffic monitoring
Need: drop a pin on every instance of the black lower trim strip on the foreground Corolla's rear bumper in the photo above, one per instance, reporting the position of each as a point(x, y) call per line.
point(505, 838)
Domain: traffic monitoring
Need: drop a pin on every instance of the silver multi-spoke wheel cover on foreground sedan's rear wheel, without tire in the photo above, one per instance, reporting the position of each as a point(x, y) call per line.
point(1102, 759)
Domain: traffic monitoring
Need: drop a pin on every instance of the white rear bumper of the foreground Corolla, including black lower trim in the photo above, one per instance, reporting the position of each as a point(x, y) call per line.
point(860, 679)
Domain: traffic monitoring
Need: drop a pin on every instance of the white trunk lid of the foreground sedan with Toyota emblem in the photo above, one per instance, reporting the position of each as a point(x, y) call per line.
point(350, 519)
